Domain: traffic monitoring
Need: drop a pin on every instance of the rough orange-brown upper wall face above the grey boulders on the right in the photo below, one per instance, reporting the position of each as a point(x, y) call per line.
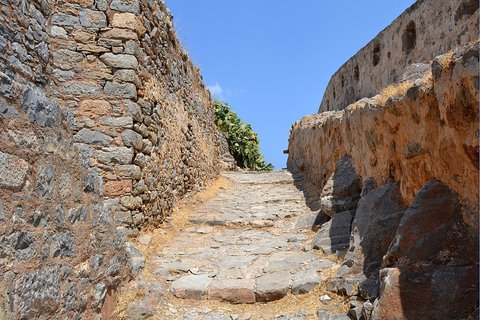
point(430, 131)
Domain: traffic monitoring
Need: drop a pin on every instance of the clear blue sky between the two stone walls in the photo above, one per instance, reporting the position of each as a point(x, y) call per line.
point(271, 60)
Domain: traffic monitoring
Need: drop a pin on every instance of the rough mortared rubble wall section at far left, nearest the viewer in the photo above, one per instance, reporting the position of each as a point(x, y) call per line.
point(60, 253)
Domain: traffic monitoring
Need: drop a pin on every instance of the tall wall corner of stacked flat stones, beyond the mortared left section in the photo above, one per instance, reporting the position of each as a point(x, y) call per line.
point(137, 105)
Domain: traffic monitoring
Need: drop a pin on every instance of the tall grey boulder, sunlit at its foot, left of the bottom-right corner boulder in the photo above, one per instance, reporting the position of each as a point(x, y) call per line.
point(376, 220)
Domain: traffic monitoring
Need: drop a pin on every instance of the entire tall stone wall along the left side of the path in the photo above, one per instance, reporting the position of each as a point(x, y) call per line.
point(105, 126)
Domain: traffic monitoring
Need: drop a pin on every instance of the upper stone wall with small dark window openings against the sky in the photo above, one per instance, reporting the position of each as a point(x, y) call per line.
point(427, 29)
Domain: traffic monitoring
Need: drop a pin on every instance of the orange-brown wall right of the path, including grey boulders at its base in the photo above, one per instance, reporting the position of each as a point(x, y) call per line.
point(414, 235)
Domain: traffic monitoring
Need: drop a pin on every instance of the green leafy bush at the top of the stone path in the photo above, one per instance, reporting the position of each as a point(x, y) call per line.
point(242, 141)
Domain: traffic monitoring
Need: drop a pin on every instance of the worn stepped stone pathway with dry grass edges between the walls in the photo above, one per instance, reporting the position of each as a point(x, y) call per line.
point(242, 250)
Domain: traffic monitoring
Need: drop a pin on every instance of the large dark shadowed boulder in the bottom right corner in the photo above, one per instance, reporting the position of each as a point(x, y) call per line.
point(431, 267)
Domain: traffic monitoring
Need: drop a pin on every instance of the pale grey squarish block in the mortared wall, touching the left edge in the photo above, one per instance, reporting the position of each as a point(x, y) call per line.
point(13, 171)
